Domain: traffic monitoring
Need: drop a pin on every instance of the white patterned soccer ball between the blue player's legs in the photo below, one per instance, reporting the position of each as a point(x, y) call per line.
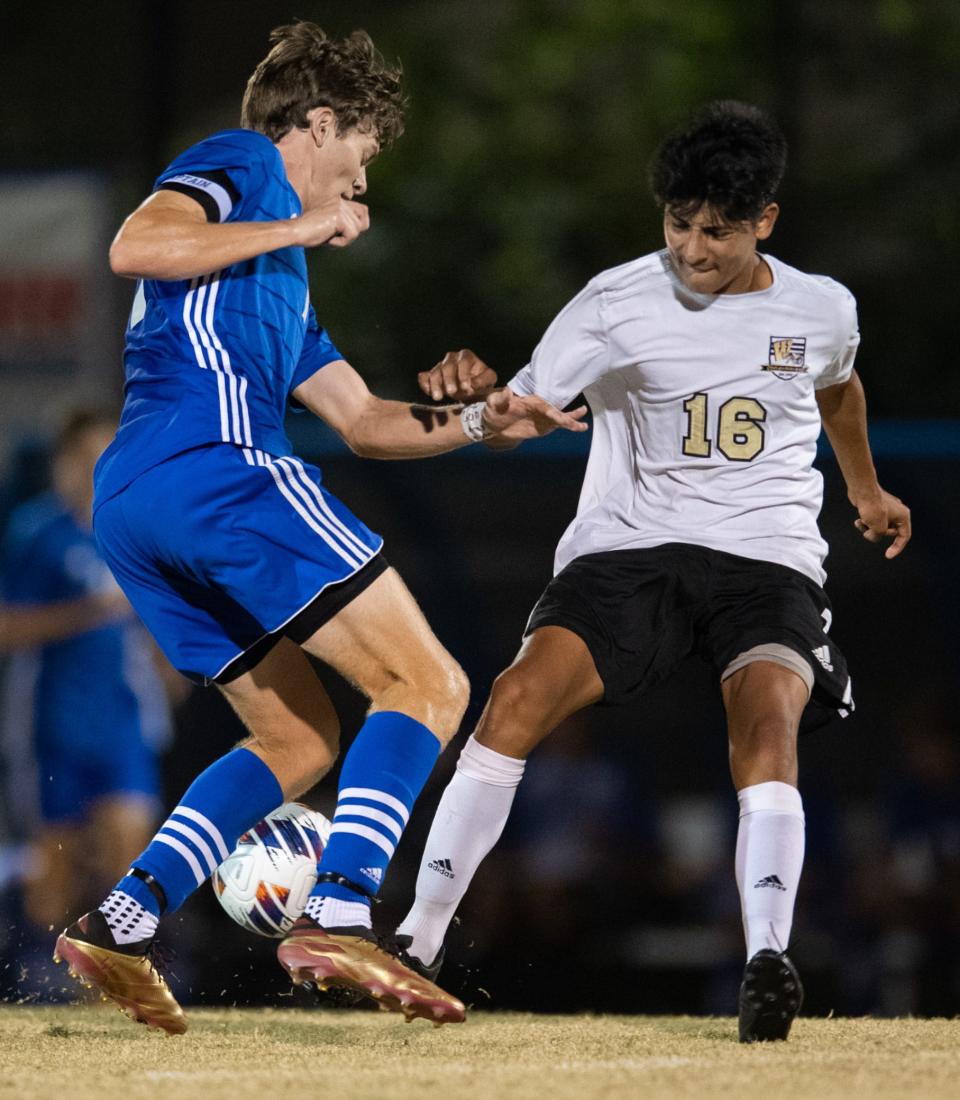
point(266, 882)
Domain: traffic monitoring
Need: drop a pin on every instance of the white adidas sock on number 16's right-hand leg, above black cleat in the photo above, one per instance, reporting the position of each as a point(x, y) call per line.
point(770, 857)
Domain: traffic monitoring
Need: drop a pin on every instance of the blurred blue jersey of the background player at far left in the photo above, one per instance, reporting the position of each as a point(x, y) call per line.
point(97, 686)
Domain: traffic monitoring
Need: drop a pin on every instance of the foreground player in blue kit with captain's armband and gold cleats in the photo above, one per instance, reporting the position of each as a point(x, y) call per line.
point(233, 552)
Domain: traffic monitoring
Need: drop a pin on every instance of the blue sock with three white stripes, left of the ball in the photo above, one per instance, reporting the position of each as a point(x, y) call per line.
point(222, 805)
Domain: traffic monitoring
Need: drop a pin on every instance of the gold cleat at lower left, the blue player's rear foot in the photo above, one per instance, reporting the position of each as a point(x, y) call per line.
point(126, 977)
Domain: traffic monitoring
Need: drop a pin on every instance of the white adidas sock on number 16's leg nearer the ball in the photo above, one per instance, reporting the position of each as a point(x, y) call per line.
point(469, 822)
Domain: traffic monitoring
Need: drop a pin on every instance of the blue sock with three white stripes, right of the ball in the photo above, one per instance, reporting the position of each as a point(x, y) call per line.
point(383, 774)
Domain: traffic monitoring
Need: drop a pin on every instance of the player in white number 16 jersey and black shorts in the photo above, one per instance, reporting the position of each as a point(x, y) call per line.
point(710, 368)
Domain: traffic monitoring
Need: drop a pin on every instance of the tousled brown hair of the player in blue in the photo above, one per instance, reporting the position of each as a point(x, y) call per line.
point(306, 69)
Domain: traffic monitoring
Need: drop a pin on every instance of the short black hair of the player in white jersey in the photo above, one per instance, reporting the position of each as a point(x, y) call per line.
point(731, 157)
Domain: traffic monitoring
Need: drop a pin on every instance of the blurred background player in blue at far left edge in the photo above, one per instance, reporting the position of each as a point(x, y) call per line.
point(85, 710)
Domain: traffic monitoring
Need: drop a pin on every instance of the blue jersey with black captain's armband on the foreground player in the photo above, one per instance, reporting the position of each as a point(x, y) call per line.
point(215, 359)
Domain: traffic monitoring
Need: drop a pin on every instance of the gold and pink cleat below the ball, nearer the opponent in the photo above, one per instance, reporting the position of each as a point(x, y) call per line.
point(356, 961)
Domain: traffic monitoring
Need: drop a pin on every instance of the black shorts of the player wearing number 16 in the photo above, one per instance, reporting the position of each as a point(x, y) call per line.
point(642, 612)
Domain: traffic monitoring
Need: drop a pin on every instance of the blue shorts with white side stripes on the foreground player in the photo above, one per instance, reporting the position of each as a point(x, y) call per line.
point(219, 548)
